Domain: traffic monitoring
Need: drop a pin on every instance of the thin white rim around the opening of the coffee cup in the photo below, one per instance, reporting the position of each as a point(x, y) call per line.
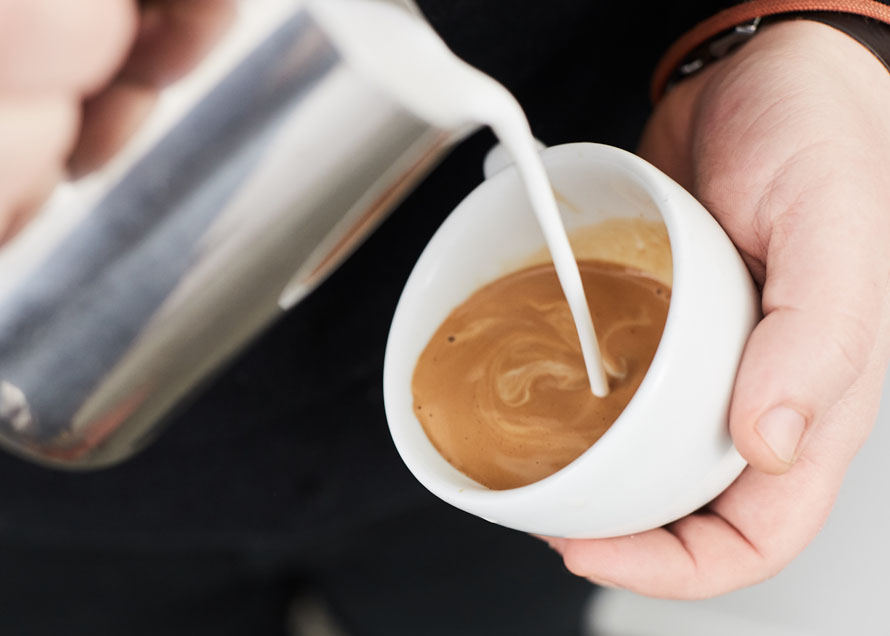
point(657, 187)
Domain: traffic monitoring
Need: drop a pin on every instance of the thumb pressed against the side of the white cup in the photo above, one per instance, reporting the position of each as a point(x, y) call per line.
point(822, 303)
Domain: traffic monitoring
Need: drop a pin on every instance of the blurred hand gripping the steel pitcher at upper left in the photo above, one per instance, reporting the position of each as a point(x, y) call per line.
point(76, 78)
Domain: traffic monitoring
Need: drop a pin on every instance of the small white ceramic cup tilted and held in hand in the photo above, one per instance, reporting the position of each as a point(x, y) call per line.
point(669, 452)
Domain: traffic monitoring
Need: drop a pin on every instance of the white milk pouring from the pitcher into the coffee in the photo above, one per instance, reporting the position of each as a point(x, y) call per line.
point(402, 55)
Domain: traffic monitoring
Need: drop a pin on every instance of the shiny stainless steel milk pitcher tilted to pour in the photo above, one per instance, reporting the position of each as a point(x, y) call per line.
point(267, 181)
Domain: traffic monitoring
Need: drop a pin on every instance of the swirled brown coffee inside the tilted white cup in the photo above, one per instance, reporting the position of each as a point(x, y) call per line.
point(501, 389)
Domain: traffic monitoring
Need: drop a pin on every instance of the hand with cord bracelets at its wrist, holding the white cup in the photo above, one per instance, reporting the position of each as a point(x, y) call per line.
point(787, 143)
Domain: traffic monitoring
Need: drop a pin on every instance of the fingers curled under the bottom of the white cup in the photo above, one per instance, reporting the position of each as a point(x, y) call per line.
point(745, 536)
